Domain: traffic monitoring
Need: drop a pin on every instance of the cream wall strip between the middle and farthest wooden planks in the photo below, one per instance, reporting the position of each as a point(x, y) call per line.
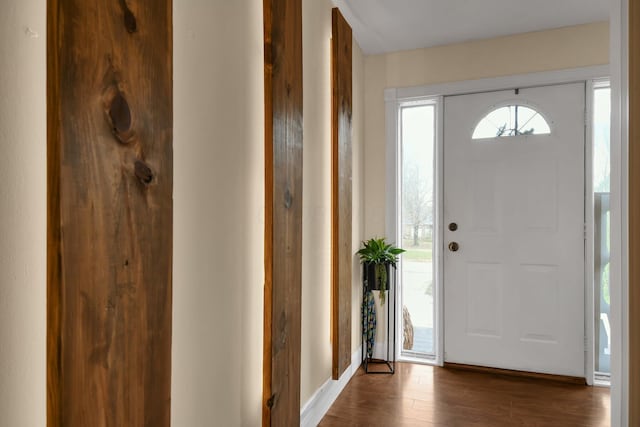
point(316, 194)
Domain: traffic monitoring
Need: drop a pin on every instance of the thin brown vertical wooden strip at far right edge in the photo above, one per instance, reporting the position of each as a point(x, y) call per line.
point(634, 213)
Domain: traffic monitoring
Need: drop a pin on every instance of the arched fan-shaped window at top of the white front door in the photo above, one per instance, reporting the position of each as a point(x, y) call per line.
point(511, 120)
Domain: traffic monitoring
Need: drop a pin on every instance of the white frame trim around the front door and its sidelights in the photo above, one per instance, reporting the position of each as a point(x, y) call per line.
point(396, 97)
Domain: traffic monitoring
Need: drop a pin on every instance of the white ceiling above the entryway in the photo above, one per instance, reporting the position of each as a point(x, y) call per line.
point(382, 26)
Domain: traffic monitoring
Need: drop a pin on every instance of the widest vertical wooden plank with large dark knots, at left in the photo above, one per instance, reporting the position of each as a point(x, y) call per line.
point(110, 178)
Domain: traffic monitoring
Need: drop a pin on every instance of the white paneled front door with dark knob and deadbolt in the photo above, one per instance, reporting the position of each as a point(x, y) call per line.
point(514, 289)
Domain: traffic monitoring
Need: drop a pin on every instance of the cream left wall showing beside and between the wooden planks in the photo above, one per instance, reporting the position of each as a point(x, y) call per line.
point(218, 210)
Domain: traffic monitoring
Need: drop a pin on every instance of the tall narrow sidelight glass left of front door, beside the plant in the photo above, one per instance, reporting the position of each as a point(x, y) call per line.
point(418, 139)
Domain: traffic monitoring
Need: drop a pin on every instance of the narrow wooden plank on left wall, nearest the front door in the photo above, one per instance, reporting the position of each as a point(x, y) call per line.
point(341, 165)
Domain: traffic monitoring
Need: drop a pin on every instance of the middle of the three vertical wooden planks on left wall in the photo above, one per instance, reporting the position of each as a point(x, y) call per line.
point(283, 212)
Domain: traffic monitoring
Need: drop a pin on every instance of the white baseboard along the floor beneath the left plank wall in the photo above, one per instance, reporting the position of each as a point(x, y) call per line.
point(318, 405)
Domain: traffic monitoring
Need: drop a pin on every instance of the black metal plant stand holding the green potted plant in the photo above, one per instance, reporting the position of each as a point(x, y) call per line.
point(390, 361)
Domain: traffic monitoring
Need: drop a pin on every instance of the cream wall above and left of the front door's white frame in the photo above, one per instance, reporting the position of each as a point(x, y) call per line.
point(569, 47)
